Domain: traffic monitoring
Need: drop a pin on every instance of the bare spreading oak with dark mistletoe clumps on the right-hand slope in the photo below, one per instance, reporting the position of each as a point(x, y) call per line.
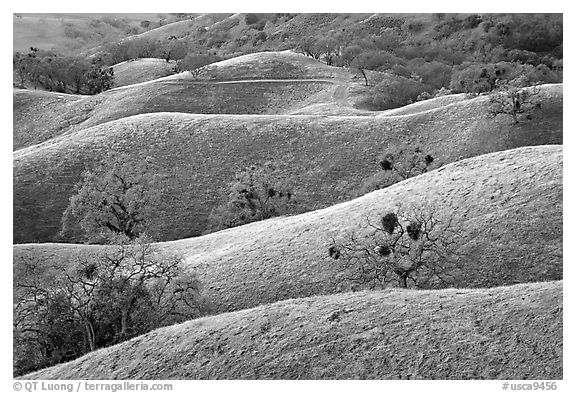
point(412, 248)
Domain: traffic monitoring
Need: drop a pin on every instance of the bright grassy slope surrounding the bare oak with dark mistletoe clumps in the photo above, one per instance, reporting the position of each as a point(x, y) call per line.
point(507, 205)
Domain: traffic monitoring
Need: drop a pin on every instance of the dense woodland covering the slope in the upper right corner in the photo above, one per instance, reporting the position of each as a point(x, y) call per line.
point(462, 54)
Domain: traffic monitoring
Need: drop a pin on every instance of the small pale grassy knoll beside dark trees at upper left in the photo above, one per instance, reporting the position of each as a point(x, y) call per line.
point(141, 70)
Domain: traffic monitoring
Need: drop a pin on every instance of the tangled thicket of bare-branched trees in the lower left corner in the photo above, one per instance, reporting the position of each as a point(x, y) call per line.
point(61, 313)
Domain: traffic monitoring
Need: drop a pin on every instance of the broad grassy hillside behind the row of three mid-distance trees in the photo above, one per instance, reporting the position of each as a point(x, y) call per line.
point(325, 157)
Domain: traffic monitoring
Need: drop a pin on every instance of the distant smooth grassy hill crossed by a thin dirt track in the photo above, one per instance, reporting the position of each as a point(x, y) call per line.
point(260, 91)
